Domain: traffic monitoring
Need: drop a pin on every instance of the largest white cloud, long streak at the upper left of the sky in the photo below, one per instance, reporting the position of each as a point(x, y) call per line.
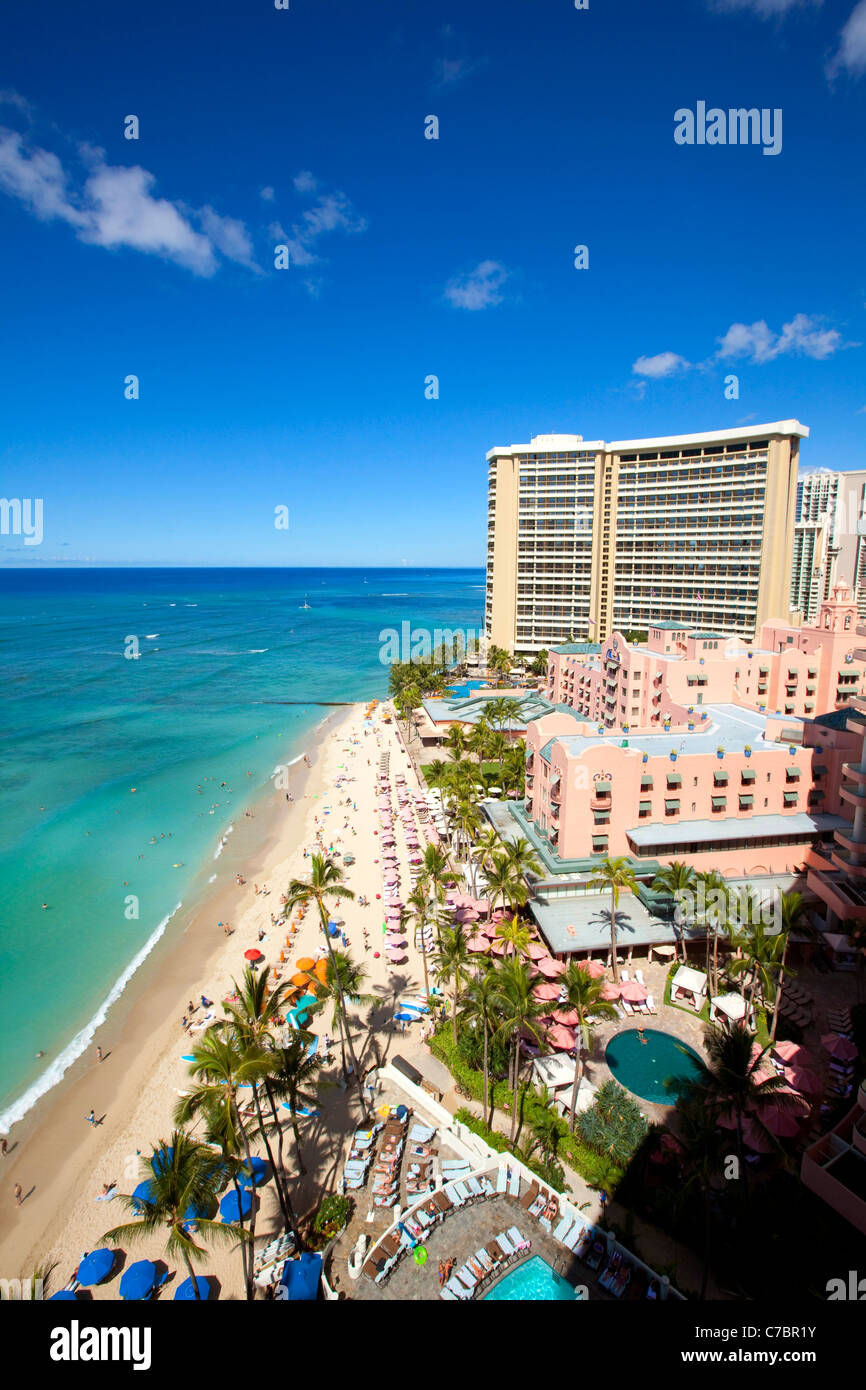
point(116, 206)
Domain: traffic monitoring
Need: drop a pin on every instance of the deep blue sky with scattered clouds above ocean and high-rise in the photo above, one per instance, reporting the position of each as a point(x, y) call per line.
point(305, 387)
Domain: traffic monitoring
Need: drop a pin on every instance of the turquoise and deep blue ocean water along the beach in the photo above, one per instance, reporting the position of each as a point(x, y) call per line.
point(122, 775)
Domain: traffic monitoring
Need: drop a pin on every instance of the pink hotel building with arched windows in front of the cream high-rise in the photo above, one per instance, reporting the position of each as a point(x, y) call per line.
point(698, 747)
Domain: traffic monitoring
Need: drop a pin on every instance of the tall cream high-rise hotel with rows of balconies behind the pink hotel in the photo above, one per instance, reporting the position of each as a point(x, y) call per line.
point(587, 537)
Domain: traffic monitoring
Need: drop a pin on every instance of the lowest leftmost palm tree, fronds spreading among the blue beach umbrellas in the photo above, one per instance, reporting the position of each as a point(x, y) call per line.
point(183, 1175)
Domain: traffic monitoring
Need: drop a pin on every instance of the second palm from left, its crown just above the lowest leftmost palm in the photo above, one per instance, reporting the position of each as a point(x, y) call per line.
point(222, 1067)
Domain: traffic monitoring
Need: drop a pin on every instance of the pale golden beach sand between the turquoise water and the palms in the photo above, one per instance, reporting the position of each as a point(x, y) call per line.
point(62, 1163)
